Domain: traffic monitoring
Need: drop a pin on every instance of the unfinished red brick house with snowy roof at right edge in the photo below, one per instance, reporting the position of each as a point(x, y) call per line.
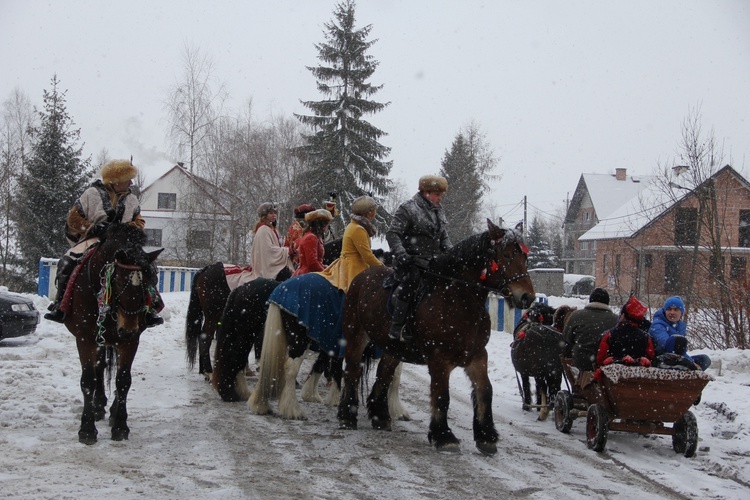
point(648, 246)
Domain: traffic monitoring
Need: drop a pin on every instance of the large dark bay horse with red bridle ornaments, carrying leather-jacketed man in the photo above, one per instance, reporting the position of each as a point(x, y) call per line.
point(450, 326)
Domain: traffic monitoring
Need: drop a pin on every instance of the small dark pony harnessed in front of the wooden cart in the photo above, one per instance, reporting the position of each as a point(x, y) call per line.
point(535, 352)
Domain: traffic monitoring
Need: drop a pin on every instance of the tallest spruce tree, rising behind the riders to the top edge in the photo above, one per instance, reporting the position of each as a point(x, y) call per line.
point(343, 151)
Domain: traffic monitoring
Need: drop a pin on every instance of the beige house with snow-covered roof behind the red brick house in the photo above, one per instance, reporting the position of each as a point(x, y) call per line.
point(595, 198)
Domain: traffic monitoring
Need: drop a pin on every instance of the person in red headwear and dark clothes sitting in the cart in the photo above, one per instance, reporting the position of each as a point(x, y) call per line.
point(627, 342)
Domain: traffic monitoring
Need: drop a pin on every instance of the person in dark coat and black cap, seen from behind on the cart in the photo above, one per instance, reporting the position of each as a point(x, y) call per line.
point(585, 328)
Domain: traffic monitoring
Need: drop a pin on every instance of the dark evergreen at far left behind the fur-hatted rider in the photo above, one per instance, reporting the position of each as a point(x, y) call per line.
point(54, 178)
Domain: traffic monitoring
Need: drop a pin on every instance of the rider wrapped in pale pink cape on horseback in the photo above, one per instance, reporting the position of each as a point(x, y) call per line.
point(268, 258)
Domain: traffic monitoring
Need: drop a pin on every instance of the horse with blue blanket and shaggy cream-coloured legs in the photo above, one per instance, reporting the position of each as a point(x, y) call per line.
point(303, 310)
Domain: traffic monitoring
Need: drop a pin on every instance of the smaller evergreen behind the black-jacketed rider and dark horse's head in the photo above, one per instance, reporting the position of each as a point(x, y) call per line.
point(467, 168)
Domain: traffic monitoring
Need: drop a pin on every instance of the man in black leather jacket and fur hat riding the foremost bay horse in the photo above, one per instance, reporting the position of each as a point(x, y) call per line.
point(417, 233)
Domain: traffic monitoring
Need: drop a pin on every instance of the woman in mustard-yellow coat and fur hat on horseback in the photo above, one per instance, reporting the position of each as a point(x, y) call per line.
point(356, 253)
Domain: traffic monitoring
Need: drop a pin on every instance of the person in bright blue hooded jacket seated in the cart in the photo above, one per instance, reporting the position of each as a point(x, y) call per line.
point(668, 332)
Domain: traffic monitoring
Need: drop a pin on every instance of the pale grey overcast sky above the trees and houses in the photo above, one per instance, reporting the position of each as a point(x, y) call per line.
point(559, 88)
